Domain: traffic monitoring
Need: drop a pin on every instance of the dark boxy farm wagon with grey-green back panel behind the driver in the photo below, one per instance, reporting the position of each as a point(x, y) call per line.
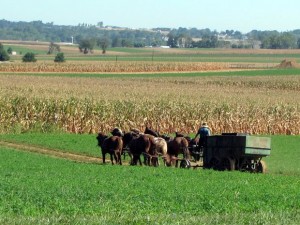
point(236, 151)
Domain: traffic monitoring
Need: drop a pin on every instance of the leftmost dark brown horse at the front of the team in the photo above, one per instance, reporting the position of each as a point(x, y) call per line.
point(112, 145)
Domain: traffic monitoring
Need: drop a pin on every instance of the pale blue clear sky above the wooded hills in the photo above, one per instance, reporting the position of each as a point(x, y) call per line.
point(219, 15)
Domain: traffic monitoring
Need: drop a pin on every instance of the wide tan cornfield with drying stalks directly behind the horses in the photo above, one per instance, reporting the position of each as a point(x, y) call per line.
point(256, 105)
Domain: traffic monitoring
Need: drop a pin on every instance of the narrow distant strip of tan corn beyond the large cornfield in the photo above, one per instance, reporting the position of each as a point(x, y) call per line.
point(91, 67)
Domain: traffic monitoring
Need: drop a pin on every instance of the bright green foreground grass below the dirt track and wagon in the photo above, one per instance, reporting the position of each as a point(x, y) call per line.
point(37, 189)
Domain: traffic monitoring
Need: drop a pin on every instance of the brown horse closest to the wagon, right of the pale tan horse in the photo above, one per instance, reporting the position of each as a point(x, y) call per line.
point(179, 145)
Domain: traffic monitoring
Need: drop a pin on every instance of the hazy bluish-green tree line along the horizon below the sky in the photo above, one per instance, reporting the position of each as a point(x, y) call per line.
point(88, 36)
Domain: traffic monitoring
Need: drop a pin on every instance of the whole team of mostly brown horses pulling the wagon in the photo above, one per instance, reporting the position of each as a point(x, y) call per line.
point(149, 144)
